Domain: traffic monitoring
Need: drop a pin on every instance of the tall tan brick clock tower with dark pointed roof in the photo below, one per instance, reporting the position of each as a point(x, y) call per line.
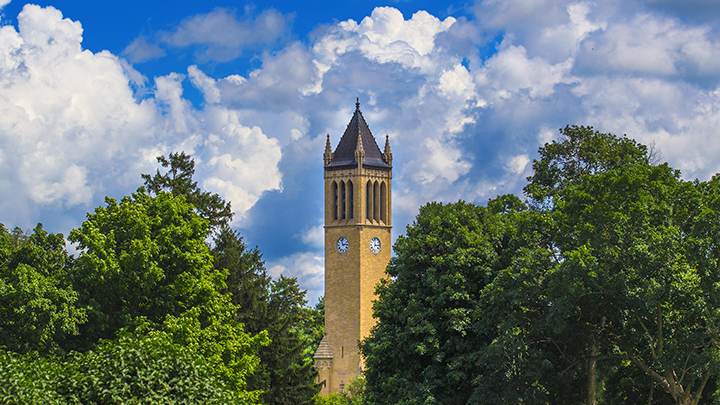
point(358, 220)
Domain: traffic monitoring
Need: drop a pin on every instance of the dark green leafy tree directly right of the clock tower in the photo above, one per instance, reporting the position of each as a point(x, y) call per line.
point(428, 344)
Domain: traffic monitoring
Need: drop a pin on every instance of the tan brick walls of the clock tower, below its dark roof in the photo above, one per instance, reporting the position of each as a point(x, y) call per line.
point(351, 277)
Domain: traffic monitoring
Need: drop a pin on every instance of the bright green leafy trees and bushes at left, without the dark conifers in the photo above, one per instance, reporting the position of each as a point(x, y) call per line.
point(154, 319)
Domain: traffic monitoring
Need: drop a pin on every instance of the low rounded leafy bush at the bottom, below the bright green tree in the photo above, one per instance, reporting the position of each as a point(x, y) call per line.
point(147, 368)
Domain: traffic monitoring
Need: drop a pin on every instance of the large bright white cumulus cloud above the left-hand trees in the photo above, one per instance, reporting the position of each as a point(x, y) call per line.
point(77, 131)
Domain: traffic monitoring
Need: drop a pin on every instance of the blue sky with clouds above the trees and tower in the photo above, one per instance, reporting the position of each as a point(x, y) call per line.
point(91, 92)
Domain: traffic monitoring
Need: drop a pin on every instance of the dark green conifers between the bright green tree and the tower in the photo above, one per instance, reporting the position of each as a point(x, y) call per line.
point(286, 373)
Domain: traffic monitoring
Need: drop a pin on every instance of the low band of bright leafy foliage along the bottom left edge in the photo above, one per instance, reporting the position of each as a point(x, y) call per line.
point(142, 365)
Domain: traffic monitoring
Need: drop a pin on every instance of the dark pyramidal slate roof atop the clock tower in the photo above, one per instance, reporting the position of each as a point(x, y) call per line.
point(345, 153)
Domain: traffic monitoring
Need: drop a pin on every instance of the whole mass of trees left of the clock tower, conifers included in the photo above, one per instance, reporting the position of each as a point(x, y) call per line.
point(147, 313)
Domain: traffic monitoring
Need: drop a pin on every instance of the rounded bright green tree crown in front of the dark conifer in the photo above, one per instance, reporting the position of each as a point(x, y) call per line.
point(142, 257)
